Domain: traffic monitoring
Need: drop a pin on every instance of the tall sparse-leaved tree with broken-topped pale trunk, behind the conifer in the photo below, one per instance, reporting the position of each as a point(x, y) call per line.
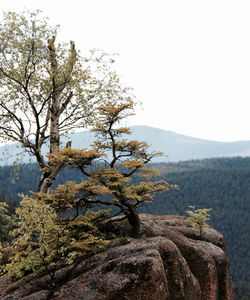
point(46, 89)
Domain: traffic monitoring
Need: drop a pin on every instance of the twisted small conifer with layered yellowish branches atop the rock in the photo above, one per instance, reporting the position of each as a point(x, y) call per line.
point(119, 160)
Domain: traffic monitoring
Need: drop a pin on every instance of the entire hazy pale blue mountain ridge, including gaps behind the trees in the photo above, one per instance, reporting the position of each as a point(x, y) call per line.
point(176, 146)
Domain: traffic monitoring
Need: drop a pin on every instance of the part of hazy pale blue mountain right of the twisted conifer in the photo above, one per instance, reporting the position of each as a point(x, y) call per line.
point(180, 147)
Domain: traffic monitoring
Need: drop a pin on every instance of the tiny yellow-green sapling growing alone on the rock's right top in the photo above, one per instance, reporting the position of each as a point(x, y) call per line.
point(199, 217)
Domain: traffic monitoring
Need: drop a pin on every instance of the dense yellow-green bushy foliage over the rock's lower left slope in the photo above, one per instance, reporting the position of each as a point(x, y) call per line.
point(43, 240)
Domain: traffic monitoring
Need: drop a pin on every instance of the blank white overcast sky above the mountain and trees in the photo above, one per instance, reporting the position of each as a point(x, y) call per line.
point(187, 60)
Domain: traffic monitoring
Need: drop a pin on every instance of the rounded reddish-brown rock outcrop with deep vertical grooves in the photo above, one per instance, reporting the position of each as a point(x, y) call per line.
point(170, 262)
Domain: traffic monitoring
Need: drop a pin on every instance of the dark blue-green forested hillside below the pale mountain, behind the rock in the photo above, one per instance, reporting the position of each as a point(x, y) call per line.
point(221, 184)
